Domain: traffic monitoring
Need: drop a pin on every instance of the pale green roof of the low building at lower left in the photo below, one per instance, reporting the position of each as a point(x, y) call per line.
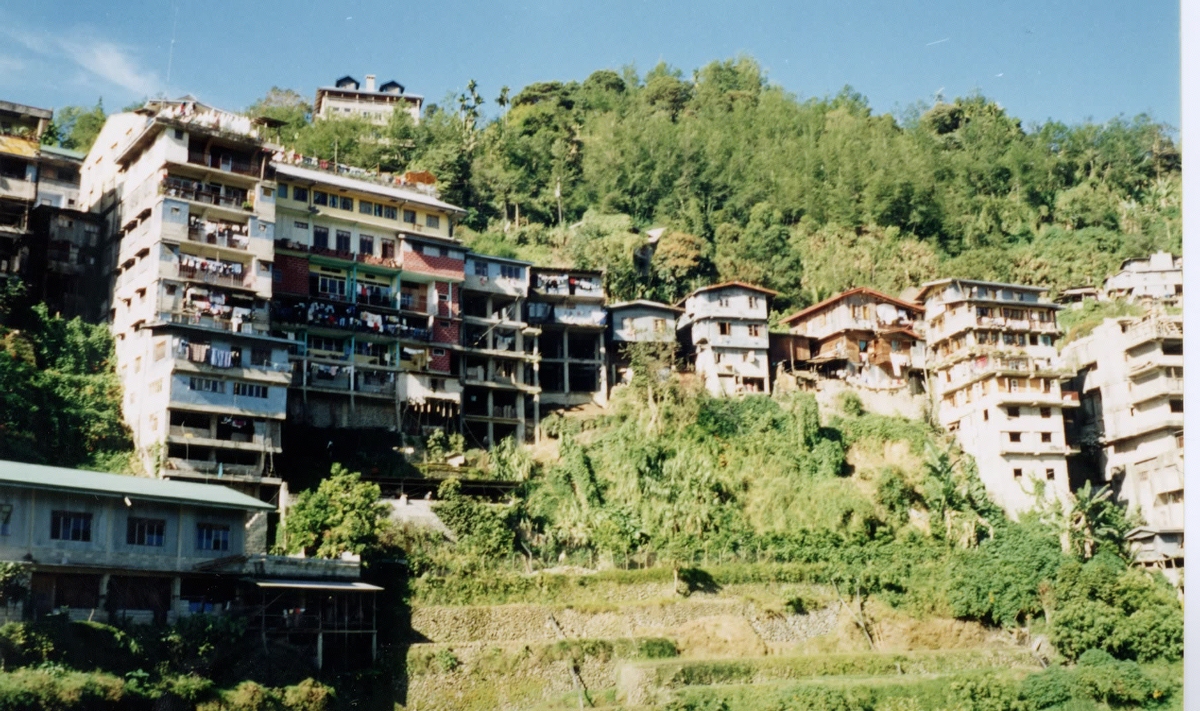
point(145, 488)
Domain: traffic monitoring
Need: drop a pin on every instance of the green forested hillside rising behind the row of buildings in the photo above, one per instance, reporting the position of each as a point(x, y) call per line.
point(807, 196)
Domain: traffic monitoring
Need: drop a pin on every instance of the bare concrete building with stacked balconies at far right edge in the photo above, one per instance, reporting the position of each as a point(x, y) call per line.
point(1132, 417)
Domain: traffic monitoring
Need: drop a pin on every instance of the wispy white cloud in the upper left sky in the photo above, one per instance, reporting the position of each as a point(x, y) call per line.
point(98, 58)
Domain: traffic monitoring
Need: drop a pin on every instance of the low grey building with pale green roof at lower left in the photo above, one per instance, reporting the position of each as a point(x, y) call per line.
point(133, 549)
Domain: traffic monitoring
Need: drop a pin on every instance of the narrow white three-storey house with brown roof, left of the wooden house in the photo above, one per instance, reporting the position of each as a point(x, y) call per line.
point(724, 332)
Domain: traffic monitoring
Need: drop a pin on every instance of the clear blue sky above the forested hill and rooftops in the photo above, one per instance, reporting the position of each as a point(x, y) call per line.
point(1041, 59)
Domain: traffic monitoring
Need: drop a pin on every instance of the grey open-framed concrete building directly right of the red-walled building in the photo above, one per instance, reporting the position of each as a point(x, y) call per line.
point(501, 396)
